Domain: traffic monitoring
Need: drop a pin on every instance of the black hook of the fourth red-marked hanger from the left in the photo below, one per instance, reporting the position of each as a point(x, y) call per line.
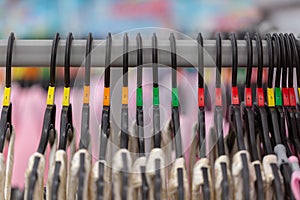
point(249, 59)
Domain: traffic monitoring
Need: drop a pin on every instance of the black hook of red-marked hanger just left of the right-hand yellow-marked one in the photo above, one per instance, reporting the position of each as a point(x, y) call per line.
point(259, 60)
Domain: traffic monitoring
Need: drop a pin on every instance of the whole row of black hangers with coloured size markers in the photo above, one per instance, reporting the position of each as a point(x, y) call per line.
point(262, 142)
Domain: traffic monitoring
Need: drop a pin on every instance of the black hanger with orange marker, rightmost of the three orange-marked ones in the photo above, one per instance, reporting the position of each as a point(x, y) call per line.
point(124, 112)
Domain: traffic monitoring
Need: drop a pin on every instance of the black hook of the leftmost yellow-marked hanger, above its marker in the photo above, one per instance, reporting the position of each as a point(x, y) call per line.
point(9, 53)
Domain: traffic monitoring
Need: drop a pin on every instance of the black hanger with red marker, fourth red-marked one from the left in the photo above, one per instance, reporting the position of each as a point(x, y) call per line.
point(248, 120)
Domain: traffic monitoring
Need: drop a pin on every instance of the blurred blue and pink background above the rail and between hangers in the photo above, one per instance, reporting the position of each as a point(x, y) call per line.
point(41, 19)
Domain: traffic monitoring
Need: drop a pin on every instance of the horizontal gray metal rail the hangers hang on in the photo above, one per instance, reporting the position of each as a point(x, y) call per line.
point(37, 52)
